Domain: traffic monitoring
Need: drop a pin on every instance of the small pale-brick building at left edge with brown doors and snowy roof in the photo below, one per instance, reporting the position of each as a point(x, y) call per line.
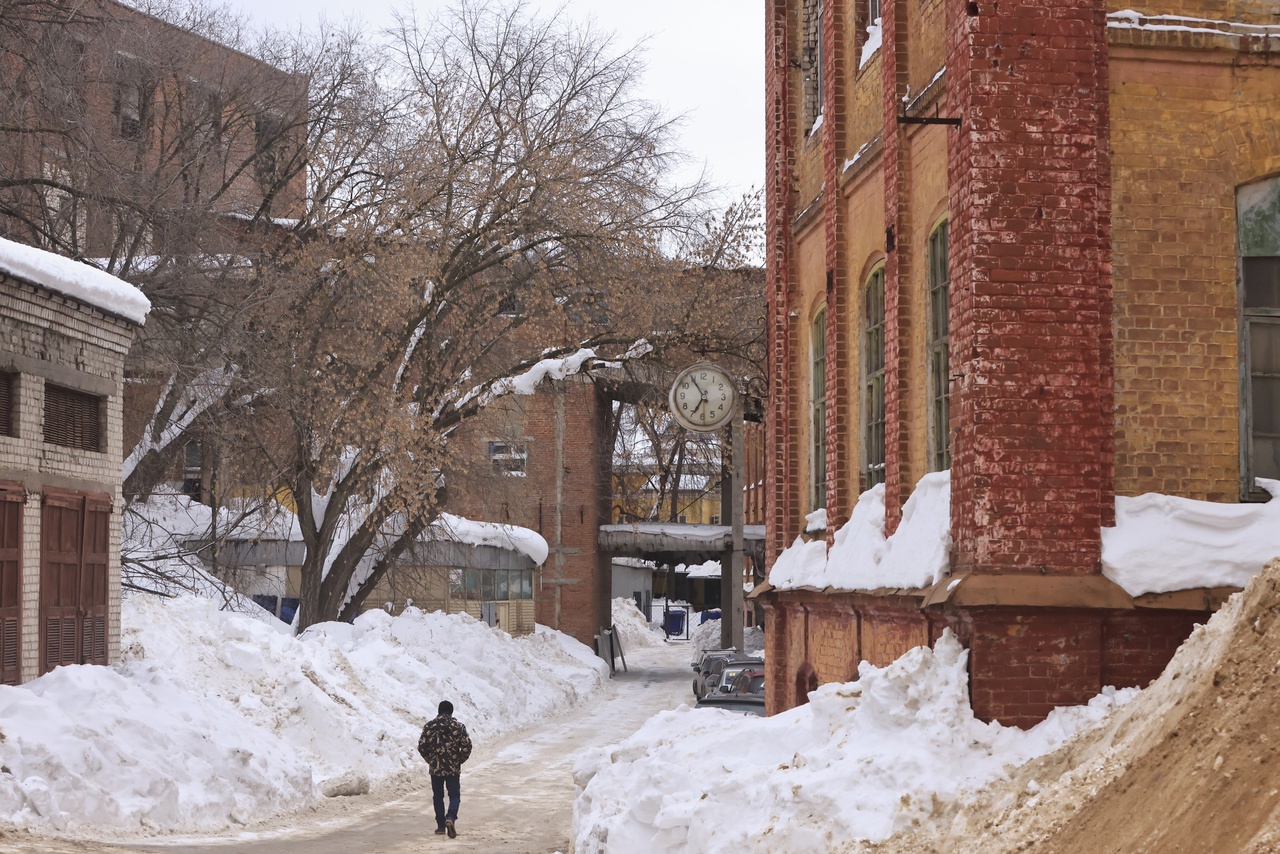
point(62, 378)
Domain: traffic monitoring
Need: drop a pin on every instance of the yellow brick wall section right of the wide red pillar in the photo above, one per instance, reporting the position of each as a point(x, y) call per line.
point(1185, 136)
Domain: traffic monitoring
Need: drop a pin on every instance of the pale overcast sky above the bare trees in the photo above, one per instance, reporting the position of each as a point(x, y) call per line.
point(706, 62)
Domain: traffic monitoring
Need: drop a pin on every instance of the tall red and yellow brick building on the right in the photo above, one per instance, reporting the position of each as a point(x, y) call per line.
point(1036, 244)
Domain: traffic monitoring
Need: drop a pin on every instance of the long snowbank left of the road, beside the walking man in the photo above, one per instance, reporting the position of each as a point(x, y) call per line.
point(213, 719)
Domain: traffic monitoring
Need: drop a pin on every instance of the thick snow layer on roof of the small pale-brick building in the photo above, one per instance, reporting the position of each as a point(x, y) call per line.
point(75, 280)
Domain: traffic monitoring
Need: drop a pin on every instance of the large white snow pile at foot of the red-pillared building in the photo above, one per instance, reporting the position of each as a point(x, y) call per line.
point(862, 761)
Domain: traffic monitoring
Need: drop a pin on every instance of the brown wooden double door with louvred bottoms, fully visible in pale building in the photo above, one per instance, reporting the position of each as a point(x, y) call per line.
point(74, 576)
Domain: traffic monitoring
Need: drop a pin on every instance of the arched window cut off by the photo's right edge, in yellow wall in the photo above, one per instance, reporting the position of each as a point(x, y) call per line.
point(1259, 223)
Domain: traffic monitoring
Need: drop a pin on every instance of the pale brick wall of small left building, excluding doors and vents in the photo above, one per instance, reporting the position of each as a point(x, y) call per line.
point(48, 337)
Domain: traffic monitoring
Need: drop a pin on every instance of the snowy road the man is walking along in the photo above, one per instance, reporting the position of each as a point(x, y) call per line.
point(518, 796)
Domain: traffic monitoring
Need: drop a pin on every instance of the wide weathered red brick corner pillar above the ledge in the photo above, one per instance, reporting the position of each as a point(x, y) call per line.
point(1031, 286)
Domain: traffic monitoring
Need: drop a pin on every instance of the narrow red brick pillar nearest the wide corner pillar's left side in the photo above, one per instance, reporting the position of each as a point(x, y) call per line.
point(898, 262)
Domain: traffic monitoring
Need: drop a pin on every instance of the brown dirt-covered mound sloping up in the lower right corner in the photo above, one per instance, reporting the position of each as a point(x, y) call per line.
point(1191, 764)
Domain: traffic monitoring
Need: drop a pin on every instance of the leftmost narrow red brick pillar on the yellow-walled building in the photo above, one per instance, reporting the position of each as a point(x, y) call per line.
point(781, 499)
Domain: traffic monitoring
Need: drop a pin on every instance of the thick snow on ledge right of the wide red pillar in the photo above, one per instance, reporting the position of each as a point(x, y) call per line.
point(1164, 544)
